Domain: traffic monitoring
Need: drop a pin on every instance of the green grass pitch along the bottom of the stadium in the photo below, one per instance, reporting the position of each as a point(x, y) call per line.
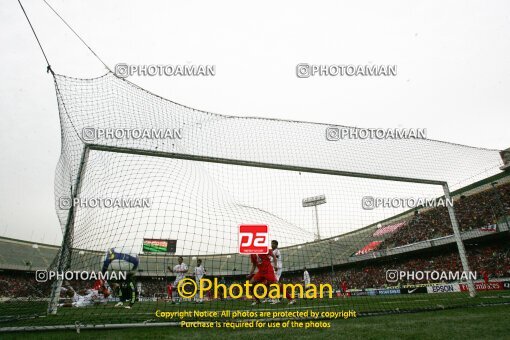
point(484, 316)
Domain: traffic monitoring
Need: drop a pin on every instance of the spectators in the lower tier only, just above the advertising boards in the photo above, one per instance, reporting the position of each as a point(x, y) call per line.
point(493, 259)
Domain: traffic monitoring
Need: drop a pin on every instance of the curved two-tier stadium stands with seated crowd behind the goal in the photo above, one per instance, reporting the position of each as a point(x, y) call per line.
point(333, 260)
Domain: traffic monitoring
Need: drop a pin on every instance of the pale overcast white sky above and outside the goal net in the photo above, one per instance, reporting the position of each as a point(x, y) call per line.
point(452, 57)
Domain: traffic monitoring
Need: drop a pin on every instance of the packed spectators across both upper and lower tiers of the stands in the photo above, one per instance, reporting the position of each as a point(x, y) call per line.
point(474, 211)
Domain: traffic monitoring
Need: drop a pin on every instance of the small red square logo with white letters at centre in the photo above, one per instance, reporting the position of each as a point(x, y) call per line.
point(253, 239)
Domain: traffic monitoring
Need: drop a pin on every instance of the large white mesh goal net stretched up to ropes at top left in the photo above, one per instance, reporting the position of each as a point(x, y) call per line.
point(148, 188)
